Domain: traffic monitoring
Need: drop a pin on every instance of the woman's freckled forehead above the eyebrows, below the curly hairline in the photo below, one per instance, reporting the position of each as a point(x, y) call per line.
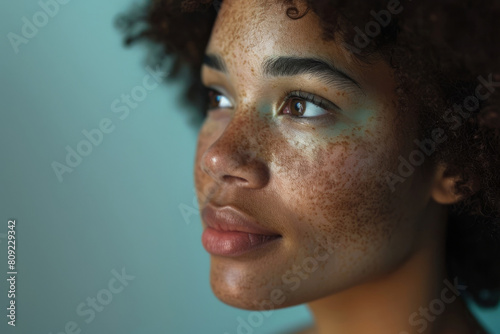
point(249, 31)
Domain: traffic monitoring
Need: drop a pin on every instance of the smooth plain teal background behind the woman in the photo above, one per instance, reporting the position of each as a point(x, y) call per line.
point(120, 207)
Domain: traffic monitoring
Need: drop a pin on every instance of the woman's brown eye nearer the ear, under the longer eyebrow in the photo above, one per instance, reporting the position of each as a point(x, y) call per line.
point(306, 105)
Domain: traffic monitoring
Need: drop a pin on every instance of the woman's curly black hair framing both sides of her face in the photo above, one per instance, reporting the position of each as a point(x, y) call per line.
point(440, 52)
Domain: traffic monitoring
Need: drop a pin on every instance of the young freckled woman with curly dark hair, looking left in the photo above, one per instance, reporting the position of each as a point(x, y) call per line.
point(349, 155)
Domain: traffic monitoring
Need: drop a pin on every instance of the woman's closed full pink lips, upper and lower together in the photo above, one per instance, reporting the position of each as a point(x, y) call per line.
point(230, 232)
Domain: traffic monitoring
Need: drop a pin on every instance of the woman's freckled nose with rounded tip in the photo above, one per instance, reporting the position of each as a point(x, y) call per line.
point(233, 157)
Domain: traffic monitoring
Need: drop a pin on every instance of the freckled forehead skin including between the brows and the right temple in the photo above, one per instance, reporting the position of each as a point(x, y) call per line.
point(248, 32)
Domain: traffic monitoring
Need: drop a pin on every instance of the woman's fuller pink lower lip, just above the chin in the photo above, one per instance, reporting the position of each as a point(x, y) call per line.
point(233, 243)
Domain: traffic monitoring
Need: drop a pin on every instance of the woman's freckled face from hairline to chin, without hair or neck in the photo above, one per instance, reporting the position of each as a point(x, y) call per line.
point(311, 168)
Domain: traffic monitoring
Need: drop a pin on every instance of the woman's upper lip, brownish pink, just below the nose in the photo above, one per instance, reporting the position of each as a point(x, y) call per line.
point(228, 218)
